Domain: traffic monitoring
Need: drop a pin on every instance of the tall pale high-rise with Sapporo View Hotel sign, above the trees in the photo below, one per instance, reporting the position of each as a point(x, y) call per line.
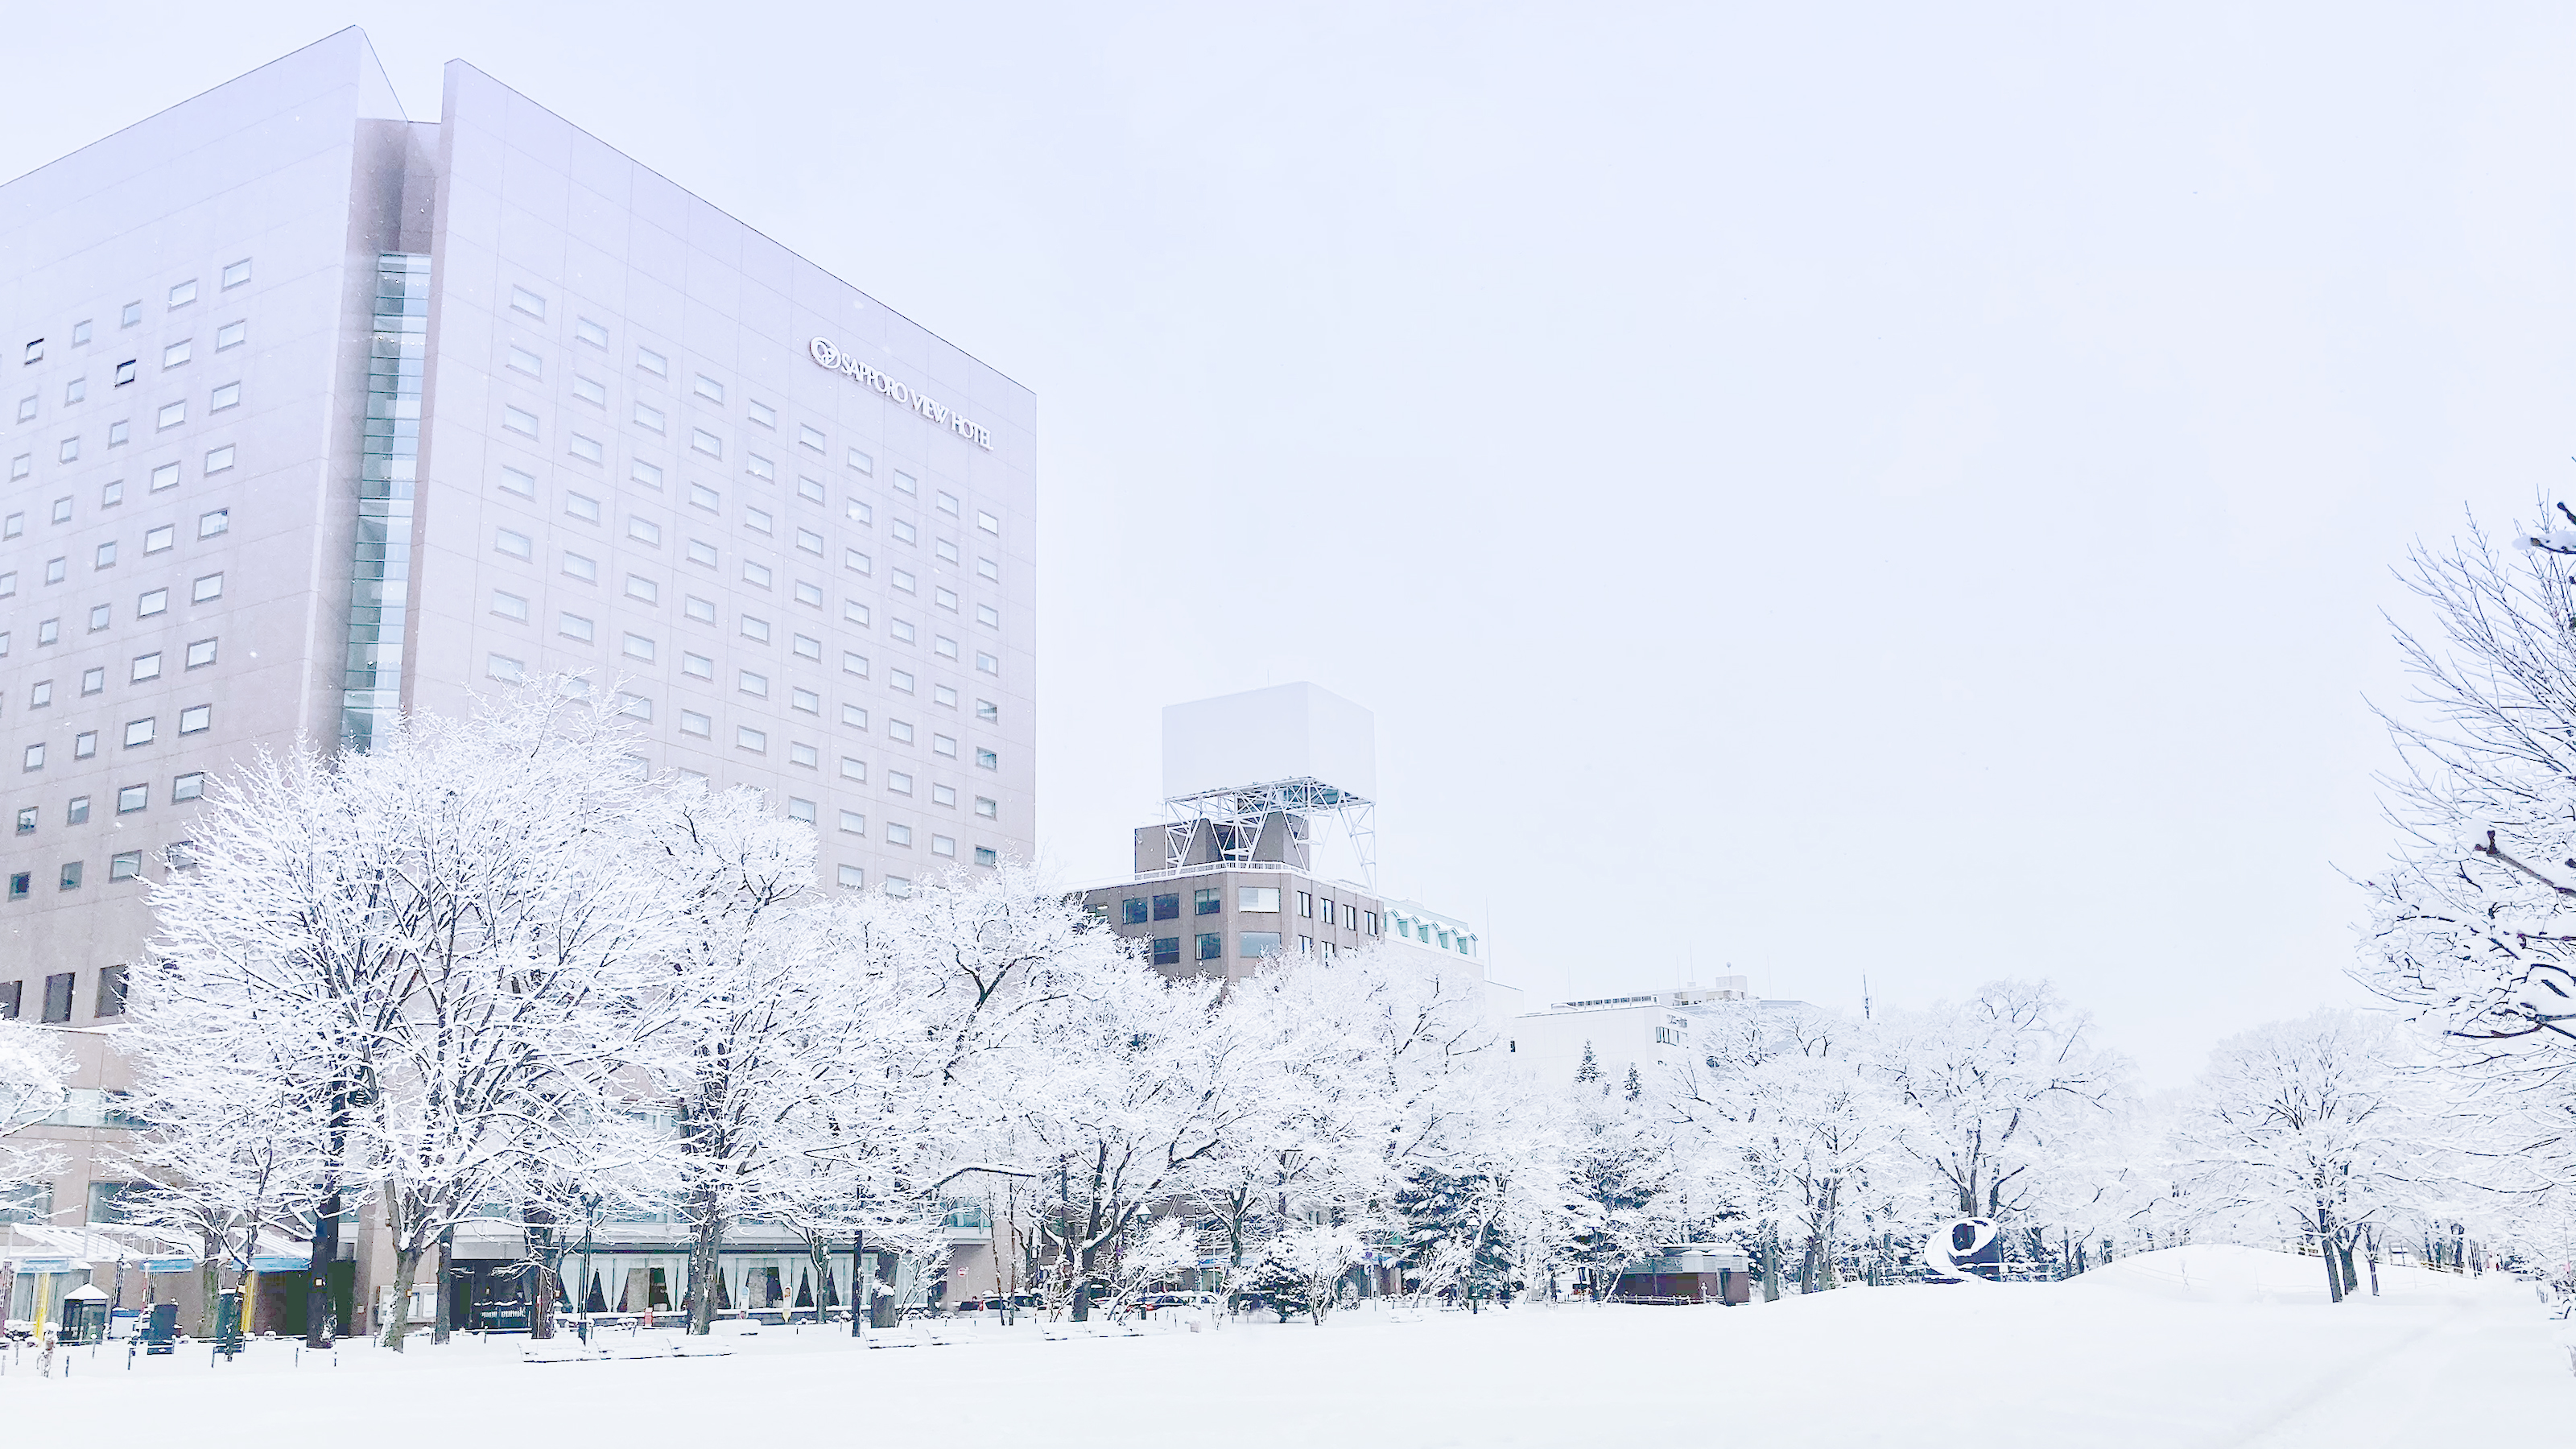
point(316, 414)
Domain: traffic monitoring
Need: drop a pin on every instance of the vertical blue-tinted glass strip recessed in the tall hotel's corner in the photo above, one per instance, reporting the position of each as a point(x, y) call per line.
point(390, 458)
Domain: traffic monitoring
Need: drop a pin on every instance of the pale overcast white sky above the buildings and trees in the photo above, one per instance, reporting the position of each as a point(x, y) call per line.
point(1825, 491)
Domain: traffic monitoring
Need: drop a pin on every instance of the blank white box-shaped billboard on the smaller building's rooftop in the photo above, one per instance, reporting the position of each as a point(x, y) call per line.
point(1289, 731)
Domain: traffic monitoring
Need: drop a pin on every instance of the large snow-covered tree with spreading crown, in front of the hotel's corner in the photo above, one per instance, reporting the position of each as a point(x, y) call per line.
point(447, 935)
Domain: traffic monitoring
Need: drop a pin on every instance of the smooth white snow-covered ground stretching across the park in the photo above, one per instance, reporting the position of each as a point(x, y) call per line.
point(2170, 1350)
